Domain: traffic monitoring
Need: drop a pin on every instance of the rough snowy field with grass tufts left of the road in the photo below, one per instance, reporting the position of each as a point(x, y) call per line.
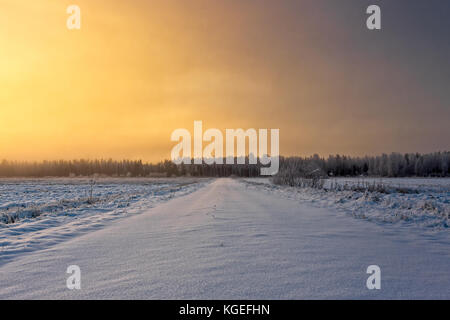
point(36, 214)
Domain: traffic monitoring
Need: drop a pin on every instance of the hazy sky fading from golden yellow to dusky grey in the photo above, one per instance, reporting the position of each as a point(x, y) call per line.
point(137, 70)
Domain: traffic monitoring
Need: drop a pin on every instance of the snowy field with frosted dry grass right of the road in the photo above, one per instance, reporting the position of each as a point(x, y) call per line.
point(423, 203)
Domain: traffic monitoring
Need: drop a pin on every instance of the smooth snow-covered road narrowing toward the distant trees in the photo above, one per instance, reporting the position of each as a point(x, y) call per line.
point(228, 241)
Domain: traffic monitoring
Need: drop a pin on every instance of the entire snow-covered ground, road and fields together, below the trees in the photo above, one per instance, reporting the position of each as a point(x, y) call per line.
point(222, 239)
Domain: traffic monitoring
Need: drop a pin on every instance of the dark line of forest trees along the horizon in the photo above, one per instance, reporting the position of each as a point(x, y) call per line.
point(435, 164)
